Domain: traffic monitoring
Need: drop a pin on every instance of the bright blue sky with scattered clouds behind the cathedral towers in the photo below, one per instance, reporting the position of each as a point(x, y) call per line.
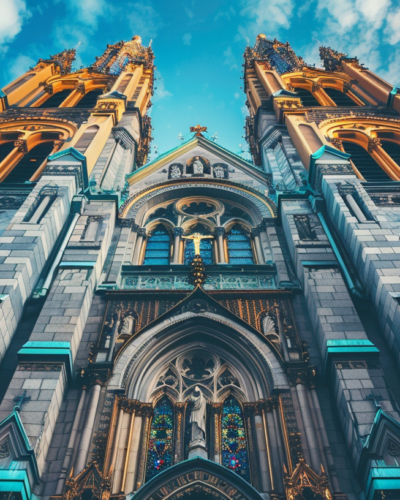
point(199, 46)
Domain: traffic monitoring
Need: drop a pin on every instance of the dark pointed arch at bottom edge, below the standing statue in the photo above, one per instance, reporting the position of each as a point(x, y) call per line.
point(198, 475)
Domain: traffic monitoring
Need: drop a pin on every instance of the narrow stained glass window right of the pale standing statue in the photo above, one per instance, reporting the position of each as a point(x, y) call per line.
point(234, 447)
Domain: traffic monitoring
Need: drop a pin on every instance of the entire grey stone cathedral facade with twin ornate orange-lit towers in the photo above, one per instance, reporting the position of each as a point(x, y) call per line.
point(198, 325)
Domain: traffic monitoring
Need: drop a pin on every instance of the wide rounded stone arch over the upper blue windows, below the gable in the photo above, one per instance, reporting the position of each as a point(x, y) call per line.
point(137, 205)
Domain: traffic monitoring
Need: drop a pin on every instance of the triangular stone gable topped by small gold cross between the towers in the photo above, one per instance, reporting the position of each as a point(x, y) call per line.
point(209, 153)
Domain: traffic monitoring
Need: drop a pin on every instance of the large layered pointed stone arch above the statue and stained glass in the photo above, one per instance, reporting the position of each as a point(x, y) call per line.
point(145, 357)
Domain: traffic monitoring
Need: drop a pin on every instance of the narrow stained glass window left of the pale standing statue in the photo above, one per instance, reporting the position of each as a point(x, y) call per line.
point(160, 451)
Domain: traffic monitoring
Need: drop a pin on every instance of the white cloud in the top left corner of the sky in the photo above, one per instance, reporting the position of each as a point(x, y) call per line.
point(13, 15)
